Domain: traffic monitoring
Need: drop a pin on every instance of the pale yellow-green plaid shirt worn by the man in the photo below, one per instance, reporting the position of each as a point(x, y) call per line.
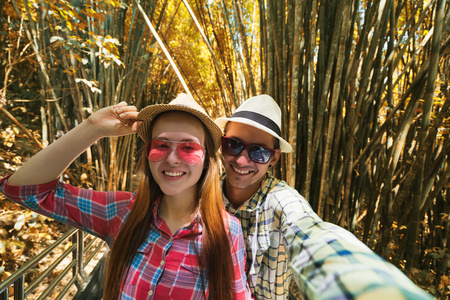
point(325, 260)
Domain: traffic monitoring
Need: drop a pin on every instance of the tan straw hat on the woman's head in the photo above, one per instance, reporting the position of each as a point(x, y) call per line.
point(182, 102)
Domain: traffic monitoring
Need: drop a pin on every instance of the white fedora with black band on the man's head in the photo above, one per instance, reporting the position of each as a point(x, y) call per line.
point(261, 112)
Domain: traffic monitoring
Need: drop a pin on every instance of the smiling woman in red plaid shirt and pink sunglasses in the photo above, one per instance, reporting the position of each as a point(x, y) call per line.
point(171, 239)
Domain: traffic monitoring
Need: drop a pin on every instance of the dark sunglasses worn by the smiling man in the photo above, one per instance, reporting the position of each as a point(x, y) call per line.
point(256, 153)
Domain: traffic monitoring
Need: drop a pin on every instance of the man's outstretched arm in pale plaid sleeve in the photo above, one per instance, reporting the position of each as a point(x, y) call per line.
point(329, 262)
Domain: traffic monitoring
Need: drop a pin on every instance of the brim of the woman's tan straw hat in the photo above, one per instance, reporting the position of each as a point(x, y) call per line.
point(148, 114)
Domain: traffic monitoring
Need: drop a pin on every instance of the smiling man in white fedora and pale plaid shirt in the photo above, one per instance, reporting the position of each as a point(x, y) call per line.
point(284, 237)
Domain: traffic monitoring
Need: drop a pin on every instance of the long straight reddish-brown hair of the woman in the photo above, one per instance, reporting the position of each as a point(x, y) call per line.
point(215, 253)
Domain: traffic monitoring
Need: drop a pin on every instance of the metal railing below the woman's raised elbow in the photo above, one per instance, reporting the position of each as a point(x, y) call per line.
point(77, 265)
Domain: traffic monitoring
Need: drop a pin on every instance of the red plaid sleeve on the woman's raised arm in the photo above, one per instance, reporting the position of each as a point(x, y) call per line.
point(98, 213)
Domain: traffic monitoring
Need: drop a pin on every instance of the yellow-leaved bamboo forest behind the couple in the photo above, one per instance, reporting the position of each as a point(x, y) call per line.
point(363, 87)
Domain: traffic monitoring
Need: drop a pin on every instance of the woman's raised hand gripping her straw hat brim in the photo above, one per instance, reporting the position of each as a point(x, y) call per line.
point(115, 120)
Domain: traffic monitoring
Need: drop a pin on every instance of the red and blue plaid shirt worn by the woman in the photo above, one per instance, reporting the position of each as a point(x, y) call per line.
point(165, 266)
